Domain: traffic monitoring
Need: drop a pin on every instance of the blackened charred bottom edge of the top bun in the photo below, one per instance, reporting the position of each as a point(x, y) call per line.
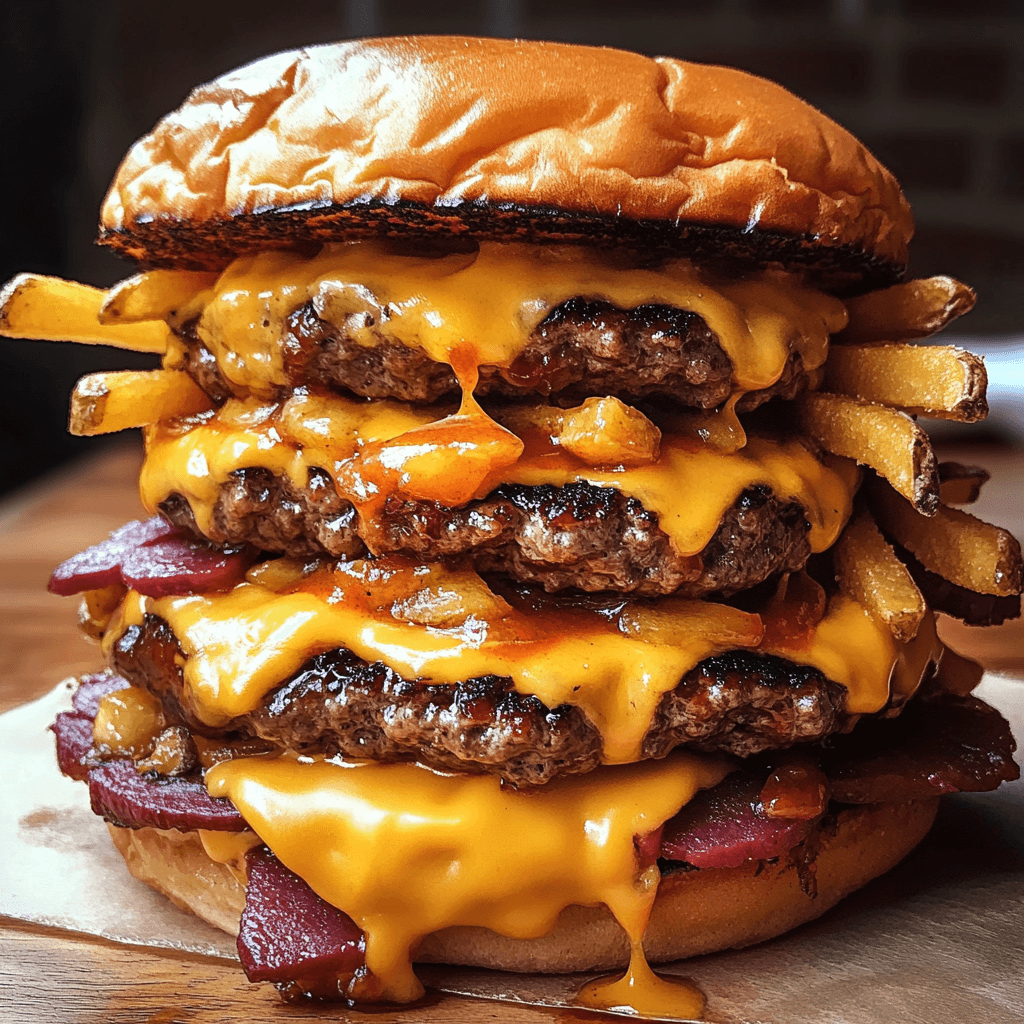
point(211, 245)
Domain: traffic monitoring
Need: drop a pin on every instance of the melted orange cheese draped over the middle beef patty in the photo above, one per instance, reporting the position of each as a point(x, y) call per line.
point(376, 449)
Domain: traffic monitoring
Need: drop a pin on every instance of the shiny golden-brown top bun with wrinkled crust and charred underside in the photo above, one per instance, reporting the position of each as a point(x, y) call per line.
point(506, 140)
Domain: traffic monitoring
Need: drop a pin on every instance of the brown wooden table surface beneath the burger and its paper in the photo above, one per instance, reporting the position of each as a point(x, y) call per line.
point(52, 976)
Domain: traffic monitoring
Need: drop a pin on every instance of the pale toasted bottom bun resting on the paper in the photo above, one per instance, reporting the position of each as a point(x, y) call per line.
point(696, 912)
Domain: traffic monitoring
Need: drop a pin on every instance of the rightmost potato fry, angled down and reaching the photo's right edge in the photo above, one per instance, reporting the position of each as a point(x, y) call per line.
point(955, 545)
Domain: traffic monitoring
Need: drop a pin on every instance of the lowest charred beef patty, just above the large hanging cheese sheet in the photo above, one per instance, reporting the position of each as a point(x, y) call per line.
point(740, 703)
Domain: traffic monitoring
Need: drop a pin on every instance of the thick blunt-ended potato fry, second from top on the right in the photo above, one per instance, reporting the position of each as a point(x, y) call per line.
point(940, 381)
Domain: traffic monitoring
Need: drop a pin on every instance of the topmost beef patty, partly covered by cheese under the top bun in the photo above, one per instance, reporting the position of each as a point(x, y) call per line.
point(583, 349)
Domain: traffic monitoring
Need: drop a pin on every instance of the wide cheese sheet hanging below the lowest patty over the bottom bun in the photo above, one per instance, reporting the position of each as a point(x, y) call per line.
point(406, 851)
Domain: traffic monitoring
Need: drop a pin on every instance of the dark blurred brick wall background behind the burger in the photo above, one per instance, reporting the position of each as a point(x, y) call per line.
point(935, 88)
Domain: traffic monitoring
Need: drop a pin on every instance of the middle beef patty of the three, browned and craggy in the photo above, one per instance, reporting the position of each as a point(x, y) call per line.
point(578, 536)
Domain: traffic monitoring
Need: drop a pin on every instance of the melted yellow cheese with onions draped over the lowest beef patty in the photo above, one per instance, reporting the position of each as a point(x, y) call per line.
point(241, 646)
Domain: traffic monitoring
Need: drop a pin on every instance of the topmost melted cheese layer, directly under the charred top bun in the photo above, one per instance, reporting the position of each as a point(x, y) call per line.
point(489, 303)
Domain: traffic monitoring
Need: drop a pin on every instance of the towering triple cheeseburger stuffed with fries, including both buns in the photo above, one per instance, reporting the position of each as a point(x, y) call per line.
point(545, 552)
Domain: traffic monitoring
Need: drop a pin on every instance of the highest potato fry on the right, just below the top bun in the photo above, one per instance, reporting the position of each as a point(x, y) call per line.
point(914, 310)
